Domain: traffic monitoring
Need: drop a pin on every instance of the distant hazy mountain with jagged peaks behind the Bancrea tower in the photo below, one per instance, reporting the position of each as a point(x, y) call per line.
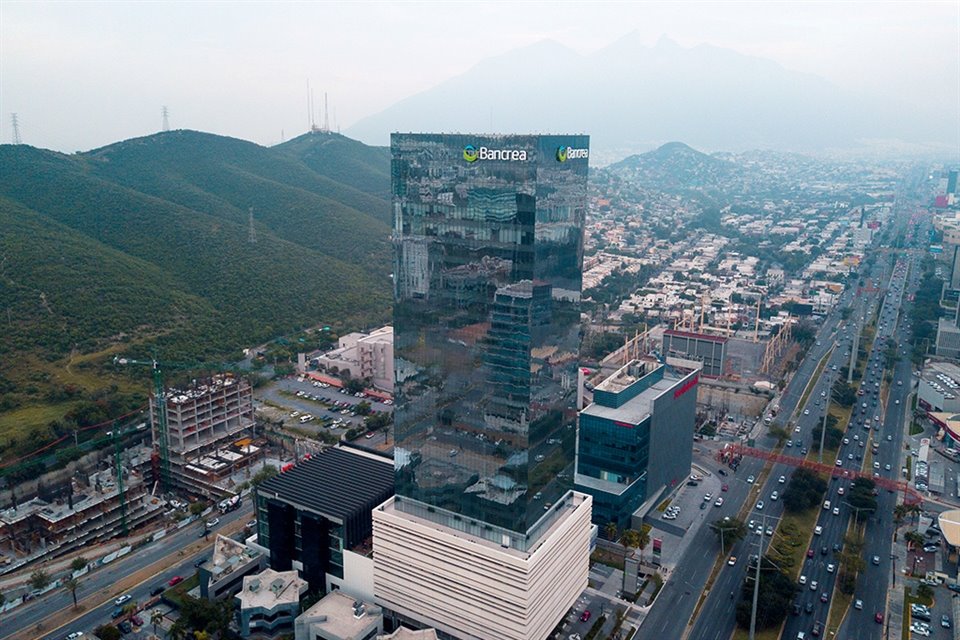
point(632, 97)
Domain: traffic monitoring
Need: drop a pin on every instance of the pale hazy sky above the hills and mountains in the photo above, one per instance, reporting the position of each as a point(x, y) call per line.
point(85, 74)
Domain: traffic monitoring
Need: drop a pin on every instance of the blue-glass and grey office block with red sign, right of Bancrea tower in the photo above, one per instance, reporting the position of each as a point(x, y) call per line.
point(636, 439)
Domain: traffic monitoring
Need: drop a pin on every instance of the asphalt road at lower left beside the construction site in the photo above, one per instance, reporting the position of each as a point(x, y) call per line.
point(36, 611)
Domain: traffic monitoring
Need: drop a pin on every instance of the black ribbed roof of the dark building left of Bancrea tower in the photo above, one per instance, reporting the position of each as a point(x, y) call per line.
point(335, 483)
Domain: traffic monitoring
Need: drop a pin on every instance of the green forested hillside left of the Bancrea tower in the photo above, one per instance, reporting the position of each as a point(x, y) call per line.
point(145, 244)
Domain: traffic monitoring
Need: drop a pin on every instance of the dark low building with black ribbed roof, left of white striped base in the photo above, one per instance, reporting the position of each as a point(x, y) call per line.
point(312, 512)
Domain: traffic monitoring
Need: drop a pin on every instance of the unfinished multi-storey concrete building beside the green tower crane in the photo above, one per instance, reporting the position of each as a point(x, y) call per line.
point(209, 433)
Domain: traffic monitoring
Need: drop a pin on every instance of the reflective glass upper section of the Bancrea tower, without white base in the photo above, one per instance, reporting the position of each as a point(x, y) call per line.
point(488, 249)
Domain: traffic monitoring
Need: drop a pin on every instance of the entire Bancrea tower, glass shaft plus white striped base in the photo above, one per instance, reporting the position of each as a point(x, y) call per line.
point(485, 537)
